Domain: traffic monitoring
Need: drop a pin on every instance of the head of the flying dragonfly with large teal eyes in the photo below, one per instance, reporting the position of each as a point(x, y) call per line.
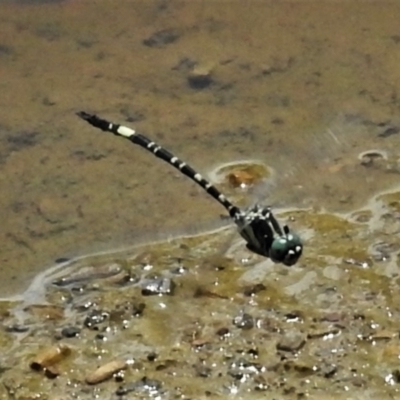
point(286, 249)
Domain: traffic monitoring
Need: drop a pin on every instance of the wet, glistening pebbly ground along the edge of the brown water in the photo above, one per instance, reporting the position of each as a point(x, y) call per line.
point(178, 318)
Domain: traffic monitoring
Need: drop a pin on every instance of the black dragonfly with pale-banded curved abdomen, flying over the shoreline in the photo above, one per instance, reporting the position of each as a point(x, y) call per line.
point(257, 225)
